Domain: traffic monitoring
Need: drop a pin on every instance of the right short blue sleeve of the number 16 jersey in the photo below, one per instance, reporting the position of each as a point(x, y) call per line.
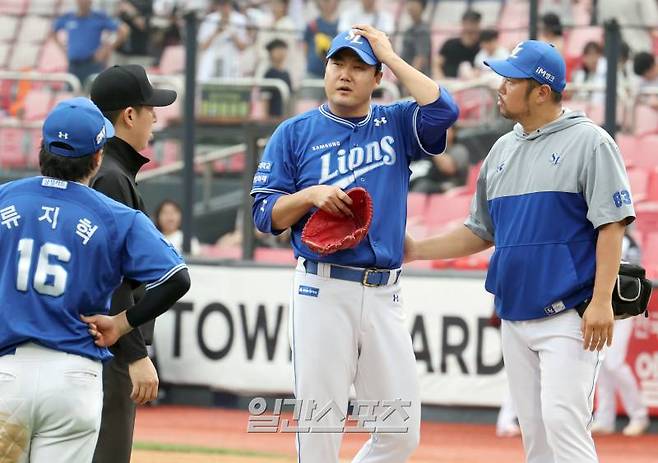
point(147, 257)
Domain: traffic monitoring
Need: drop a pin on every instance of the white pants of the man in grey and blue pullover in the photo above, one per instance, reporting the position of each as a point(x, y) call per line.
point(552, 380)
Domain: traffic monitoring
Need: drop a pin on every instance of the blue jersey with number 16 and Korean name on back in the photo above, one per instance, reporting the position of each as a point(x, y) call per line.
point(64, 248)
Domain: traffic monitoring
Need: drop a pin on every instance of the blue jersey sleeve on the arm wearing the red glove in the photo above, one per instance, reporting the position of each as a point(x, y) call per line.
point(274, 177)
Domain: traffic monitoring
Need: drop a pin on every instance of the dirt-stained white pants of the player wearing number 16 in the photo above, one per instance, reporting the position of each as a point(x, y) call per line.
point(50, 406)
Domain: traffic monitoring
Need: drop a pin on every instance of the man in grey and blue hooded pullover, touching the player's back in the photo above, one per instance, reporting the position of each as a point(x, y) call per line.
point(553, 198)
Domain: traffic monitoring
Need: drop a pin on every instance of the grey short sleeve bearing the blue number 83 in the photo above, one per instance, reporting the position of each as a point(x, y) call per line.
point(605, 186)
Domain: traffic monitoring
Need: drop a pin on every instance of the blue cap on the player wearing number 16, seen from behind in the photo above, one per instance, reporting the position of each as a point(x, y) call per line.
point(76, 128)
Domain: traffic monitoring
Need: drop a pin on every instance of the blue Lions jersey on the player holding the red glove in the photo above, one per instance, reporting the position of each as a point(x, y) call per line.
point(319, 148)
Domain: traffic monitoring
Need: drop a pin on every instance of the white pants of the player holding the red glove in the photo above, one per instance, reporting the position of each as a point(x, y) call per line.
point(344, 333)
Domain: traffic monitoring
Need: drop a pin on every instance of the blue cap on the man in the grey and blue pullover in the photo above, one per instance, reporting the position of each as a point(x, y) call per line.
point(536, 60)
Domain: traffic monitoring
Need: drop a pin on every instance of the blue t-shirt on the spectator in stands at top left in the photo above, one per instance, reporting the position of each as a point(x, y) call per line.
point(84, 33)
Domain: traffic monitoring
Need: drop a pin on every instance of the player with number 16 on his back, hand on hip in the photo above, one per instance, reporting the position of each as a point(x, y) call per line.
point(63, 249)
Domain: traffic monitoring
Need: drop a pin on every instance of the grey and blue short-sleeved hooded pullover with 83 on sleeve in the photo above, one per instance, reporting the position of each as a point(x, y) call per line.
point(540, 199)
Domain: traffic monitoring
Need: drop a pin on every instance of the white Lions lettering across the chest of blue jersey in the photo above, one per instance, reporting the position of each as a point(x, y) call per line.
point(357, 161)
